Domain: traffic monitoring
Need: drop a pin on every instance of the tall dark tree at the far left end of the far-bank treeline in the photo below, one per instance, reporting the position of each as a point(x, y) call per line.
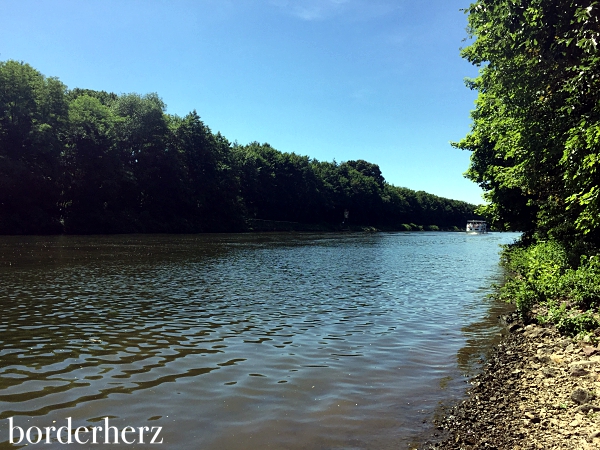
point(33, 111)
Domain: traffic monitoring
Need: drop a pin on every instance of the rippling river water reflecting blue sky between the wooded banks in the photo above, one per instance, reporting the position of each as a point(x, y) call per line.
point(269, 341)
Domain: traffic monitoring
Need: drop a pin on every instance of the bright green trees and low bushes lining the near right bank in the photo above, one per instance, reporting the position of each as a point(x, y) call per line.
point(536, 149)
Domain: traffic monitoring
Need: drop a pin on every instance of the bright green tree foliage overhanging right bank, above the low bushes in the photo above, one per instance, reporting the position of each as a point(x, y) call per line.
point(536, 127)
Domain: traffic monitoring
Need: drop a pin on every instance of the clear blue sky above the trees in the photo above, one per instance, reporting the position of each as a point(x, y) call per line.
point(379, 80)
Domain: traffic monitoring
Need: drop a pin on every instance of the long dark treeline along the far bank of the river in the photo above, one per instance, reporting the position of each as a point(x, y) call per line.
point(84, 161)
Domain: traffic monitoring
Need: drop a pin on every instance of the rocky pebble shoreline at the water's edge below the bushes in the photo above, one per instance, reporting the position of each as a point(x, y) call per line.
point(538, 390)
